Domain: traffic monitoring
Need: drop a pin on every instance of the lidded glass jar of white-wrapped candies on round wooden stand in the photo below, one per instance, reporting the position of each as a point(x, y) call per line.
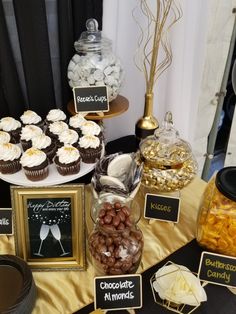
point(94, 64)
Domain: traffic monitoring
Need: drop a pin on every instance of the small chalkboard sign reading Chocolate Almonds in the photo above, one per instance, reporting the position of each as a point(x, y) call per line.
point(118, 292)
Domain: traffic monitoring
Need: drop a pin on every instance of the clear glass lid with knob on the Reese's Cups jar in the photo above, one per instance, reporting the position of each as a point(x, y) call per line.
point(91, 40)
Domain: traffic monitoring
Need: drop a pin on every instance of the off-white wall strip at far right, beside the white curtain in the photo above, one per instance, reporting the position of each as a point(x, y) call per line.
point(219, 32)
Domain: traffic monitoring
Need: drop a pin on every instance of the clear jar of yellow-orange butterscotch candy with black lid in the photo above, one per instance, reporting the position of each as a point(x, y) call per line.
point(216, 229)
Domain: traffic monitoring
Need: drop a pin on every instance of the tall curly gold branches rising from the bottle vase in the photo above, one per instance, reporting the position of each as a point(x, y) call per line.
point(167, 13)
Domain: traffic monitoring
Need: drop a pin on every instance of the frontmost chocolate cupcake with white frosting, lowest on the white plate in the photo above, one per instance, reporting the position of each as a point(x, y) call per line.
point(35, 164)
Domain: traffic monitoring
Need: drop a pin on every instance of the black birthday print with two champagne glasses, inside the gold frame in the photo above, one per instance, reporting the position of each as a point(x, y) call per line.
point(50, 227)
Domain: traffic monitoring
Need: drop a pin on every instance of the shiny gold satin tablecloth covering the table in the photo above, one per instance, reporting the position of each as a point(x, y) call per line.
point(67, 291)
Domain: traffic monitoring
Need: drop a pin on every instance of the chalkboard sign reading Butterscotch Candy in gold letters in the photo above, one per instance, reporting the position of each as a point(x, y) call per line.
point(217, 269)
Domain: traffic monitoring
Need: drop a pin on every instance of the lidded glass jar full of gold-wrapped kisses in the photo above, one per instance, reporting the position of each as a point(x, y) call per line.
point(168, 161)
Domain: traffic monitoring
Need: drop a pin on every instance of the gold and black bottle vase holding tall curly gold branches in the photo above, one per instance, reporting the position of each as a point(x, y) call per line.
point(153, 40)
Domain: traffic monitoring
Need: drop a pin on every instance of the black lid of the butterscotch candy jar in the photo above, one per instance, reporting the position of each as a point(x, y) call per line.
point(226, 182)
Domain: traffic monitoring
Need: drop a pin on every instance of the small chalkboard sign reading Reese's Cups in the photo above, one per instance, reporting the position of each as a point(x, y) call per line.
point(91, 99)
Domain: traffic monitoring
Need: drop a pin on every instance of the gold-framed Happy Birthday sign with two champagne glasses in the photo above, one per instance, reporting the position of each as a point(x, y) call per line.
point(49, 226)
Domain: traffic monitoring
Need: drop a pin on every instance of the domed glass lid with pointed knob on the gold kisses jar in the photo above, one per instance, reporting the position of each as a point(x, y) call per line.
point(165, 147)
